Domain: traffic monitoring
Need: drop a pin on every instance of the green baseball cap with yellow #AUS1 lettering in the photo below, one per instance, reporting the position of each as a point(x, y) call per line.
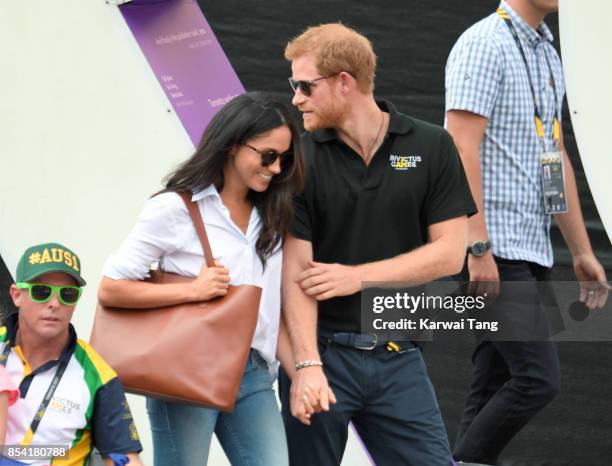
point(48, 257)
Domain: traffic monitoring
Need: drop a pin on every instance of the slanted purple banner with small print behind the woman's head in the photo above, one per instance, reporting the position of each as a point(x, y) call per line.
point(186, 57)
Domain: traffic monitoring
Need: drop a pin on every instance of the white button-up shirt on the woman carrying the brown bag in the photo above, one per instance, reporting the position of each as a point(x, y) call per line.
point(164, 233)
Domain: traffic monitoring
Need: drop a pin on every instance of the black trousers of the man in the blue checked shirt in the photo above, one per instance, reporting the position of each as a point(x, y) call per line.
point(513, 380)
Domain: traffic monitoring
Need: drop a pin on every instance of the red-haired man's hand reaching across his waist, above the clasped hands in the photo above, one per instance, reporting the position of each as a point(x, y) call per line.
point(324, 281)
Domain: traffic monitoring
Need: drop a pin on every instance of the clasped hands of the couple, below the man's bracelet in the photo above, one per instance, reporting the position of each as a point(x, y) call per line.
point(310, 393)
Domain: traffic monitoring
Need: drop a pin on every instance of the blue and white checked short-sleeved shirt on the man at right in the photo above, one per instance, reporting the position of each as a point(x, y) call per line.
point(486, 75)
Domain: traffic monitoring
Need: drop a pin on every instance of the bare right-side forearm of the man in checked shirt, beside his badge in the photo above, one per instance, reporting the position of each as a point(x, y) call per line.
point(571, 223)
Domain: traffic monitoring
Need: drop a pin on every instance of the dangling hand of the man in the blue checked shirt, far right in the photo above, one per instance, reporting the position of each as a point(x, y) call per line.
point(594, 287)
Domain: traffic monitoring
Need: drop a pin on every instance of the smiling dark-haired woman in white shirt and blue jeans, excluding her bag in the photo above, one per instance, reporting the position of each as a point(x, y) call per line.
point(242, 176)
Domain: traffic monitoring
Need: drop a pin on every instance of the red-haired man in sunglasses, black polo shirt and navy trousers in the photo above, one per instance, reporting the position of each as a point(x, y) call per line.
point(385, 199)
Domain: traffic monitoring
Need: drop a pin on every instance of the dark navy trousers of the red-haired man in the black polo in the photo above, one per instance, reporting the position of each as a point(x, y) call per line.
point(390, 400)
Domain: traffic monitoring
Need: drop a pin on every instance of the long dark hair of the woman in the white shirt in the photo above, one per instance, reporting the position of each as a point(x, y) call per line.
point(243, 118)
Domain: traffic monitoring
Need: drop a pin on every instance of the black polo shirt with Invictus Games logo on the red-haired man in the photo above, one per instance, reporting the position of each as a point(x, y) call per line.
point(353, 213)
